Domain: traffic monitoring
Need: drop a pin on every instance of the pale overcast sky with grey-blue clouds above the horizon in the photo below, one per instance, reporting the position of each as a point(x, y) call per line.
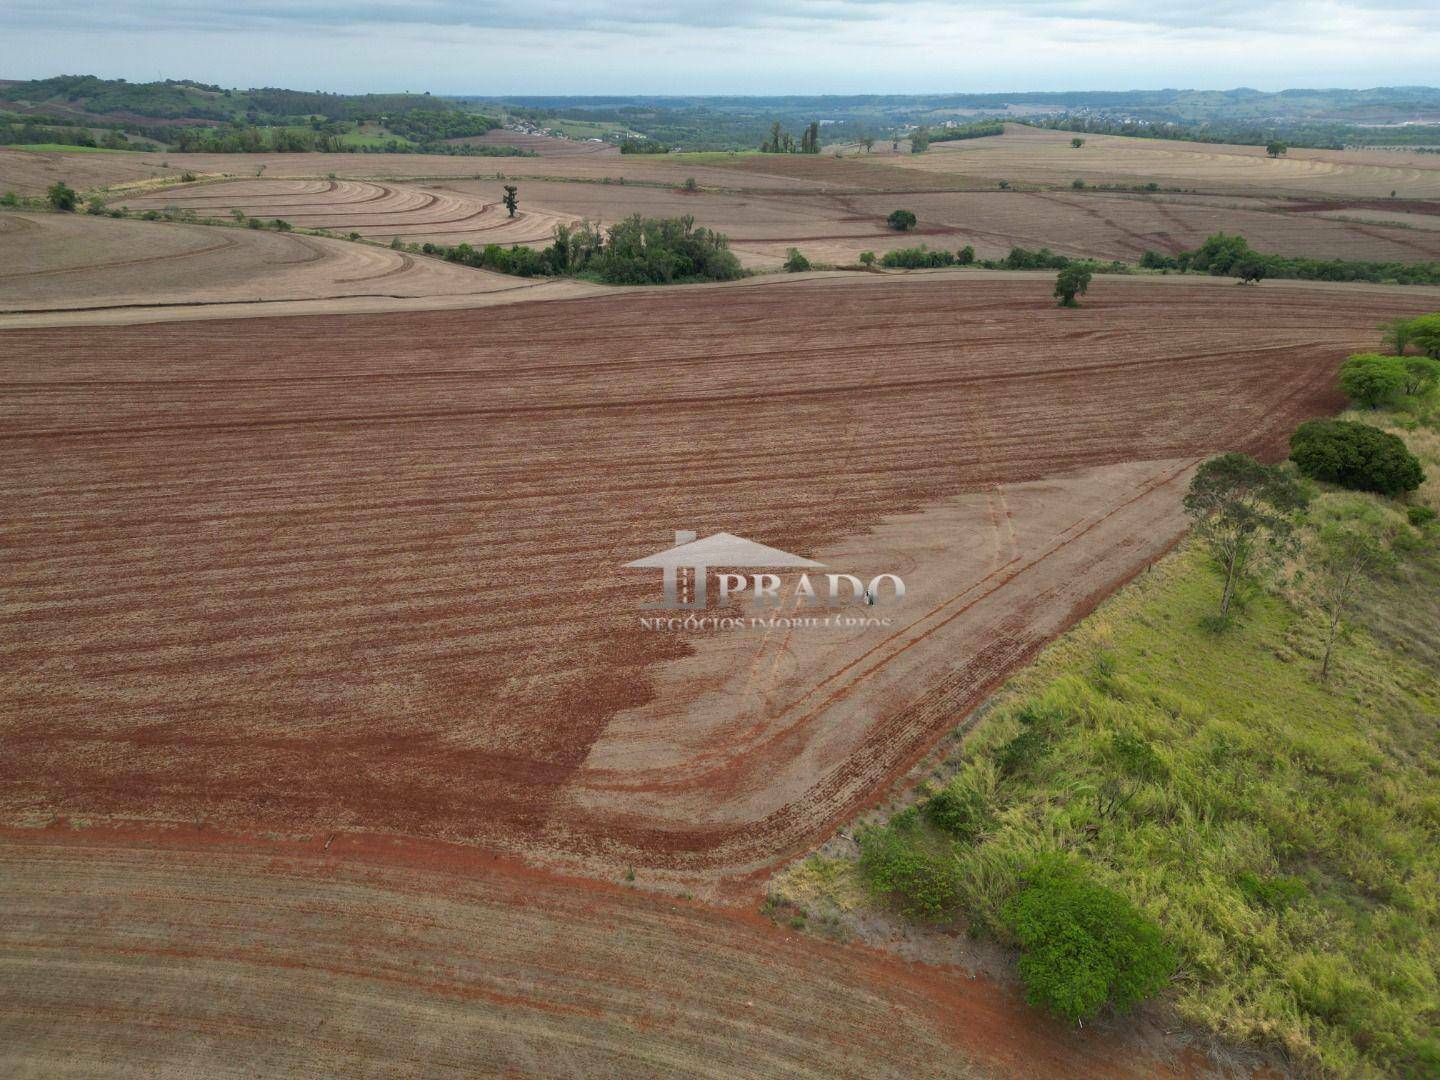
point(735, 47)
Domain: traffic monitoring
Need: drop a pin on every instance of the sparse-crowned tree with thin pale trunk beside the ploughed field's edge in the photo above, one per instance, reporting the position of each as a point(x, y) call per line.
point(1243, 515)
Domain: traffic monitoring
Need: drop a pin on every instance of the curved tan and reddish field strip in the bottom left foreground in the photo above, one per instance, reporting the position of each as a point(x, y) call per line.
point(201, 957)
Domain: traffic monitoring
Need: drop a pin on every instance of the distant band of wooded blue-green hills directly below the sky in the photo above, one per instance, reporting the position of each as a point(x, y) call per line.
point(188, 114)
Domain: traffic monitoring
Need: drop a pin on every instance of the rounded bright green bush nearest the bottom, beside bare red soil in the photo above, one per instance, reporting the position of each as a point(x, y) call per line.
point(1086, 947)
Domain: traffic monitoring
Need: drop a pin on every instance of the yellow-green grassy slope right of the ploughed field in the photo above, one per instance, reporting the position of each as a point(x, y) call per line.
point(1333, 790)
